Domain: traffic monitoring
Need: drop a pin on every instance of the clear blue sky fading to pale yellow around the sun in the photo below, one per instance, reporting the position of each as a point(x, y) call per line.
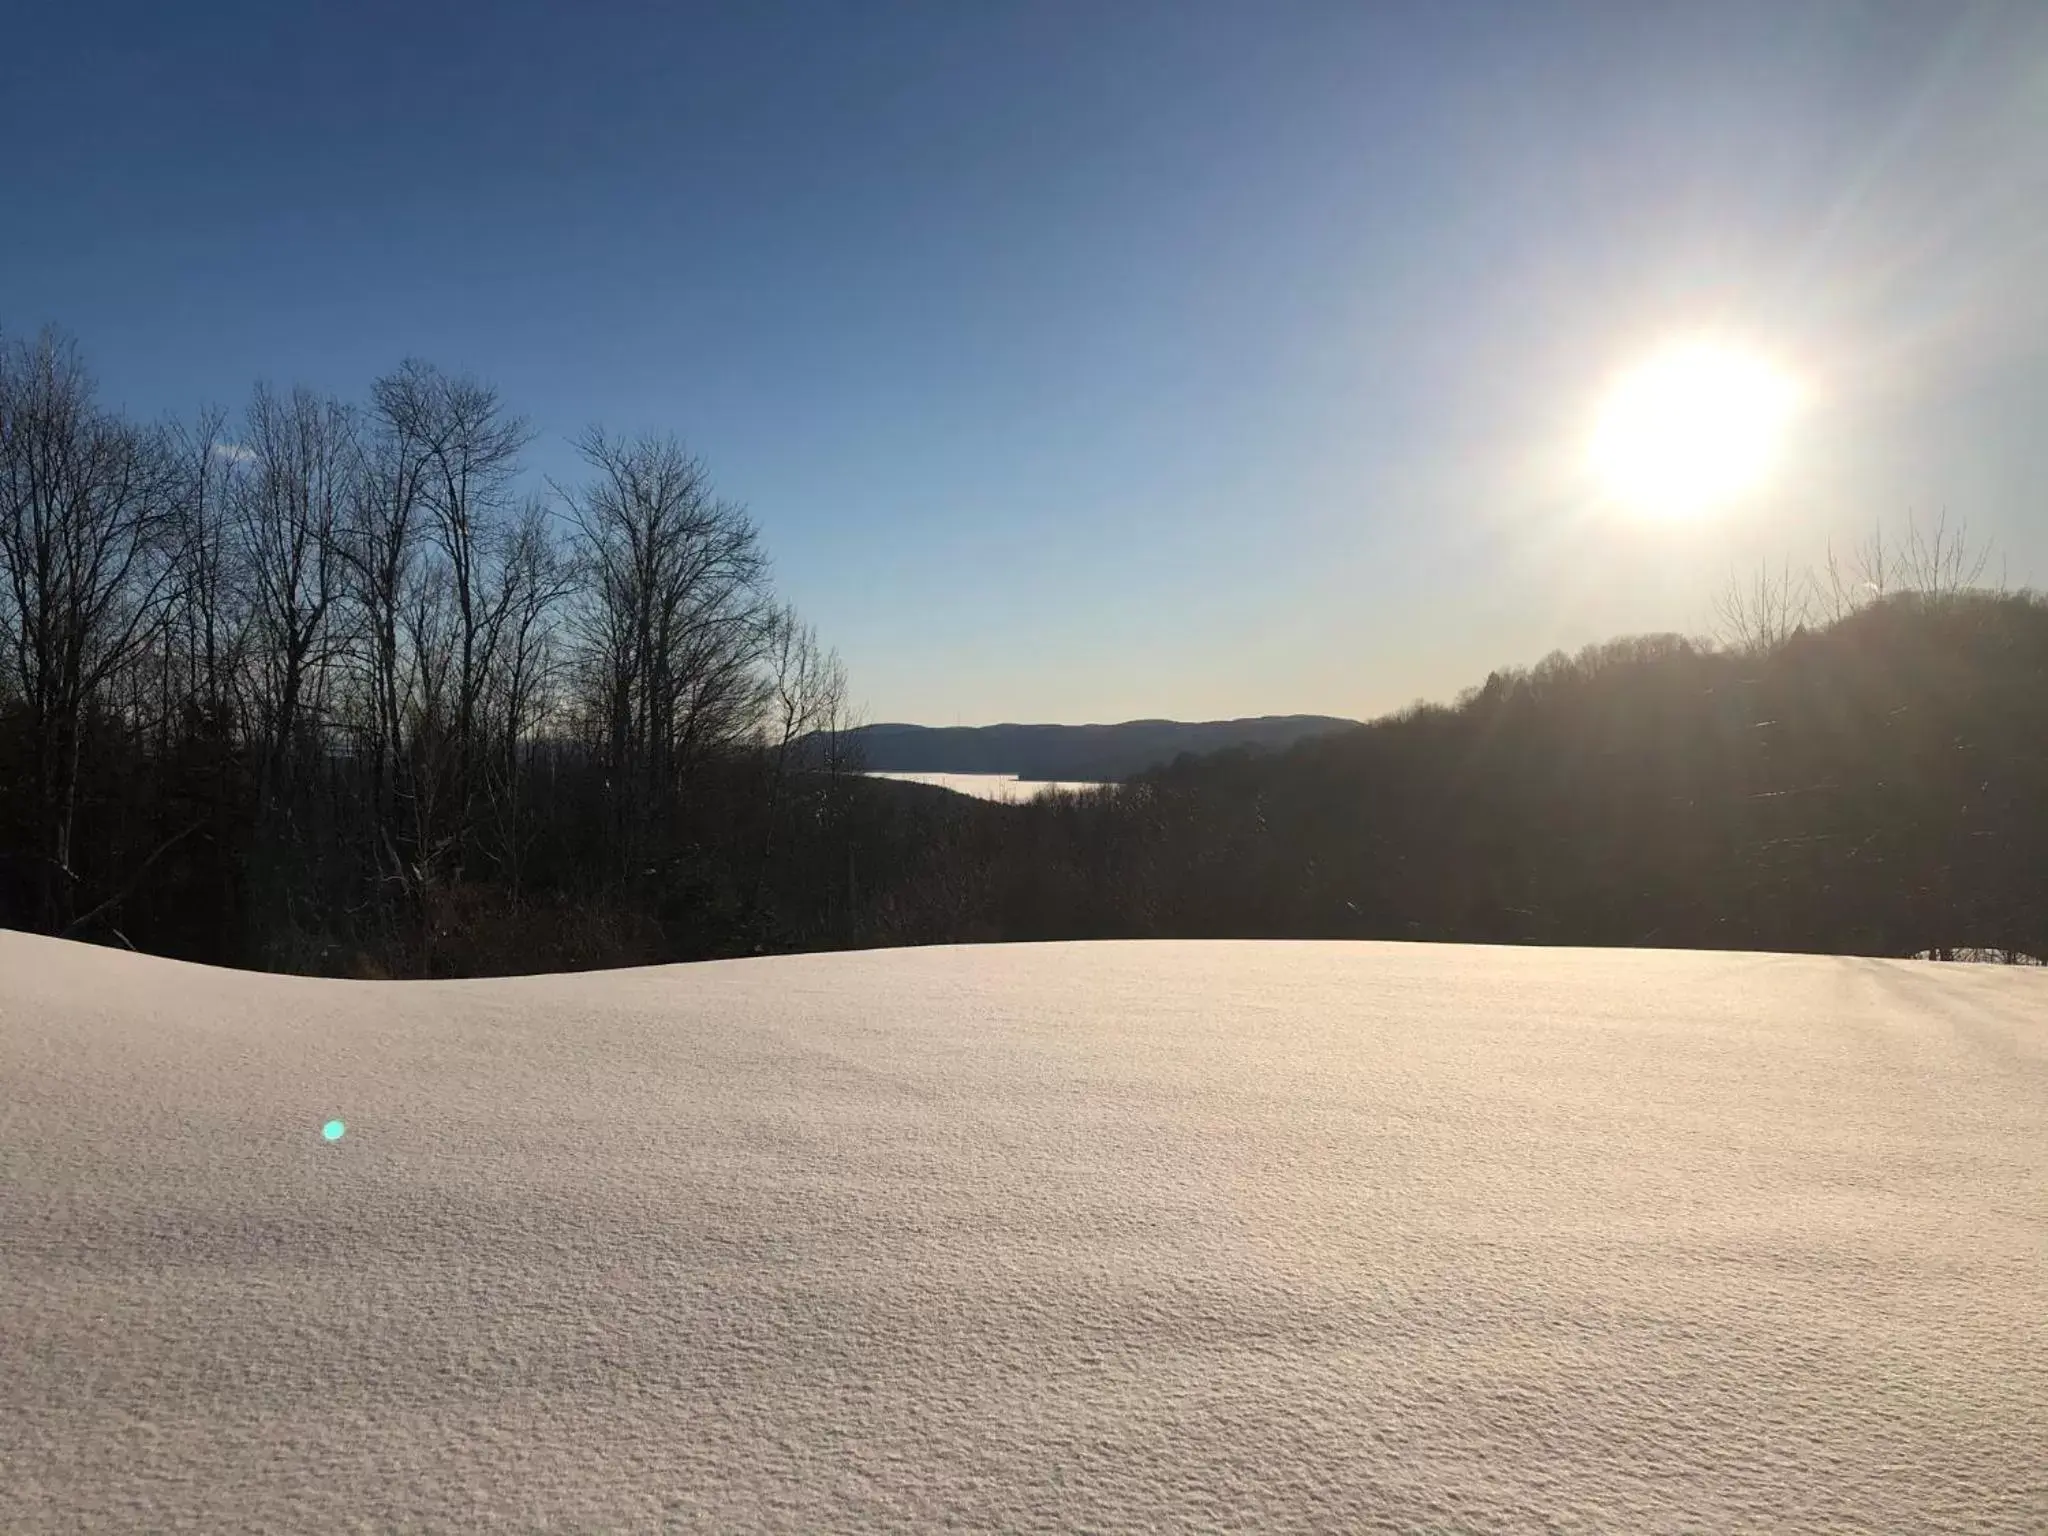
point(1099, 361)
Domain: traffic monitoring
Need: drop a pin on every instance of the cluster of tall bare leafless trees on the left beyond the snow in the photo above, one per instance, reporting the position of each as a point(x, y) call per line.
point(325, 689)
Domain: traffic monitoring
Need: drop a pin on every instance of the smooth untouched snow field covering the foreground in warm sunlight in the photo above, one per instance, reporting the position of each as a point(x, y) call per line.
point(1039, 1238)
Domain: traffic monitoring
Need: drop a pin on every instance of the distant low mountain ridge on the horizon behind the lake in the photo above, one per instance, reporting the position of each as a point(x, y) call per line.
point(1078, 753)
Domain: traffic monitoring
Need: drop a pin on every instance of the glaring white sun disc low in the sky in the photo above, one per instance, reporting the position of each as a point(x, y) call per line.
point(1693, 429)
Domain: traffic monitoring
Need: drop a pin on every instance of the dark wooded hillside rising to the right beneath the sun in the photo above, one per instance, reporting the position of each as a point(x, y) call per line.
point(1873, 785)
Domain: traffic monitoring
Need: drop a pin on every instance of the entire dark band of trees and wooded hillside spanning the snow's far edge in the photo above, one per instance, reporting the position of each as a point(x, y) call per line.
point(325, 689)
